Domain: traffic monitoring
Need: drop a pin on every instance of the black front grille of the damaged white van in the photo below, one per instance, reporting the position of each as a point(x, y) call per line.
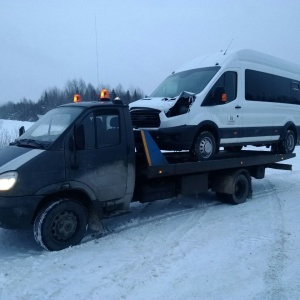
point(145, 118)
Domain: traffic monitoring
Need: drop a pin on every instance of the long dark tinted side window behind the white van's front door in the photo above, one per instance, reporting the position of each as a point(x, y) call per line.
point(260, 86)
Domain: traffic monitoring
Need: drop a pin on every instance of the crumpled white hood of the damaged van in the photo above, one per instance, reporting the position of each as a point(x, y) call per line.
point(162, 103)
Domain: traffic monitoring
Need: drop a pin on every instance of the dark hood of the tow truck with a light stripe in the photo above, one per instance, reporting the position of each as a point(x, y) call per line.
point(13, 157)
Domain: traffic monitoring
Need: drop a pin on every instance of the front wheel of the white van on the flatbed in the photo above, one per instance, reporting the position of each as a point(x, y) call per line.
point(205, 146)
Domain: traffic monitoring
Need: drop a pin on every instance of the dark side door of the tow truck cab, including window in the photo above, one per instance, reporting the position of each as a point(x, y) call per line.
point(102, 164)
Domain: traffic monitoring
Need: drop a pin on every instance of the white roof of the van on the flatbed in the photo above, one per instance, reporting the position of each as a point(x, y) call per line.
point(223, 58)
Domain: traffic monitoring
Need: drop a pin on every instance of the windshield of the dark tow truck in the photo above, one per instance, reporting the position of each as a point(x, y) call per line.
point(49, 127)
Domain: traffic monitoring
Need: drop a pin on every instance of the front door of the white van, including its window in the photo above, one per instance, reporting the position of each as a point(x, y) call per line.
point(225, 107)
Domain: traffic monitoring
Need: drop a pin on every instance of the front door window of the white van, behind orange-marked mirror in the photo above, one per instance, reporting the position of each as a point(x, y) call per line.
point(225, 85)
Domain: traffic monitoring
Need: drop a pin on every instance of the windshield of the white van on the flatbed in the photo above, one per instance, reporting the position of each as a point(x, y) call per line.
point(193, 81)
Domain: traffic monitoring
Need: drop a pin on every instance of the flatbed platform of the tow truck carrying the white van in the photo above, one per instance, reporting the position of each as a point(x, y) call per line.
point(154, 163)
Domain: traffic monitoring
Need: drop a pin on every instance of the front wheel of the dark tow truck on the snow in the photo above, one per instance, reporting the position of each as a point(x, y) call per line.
point(60, 225)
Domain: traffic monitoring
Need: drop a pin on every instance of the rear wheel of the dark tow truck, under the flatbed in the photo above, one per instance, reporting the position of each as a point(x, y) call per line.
point(241, 190)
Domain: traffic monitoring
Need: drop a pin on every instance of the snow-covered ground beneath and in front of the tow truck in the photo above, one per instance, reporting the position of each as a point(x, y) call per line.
point(186, 248)
